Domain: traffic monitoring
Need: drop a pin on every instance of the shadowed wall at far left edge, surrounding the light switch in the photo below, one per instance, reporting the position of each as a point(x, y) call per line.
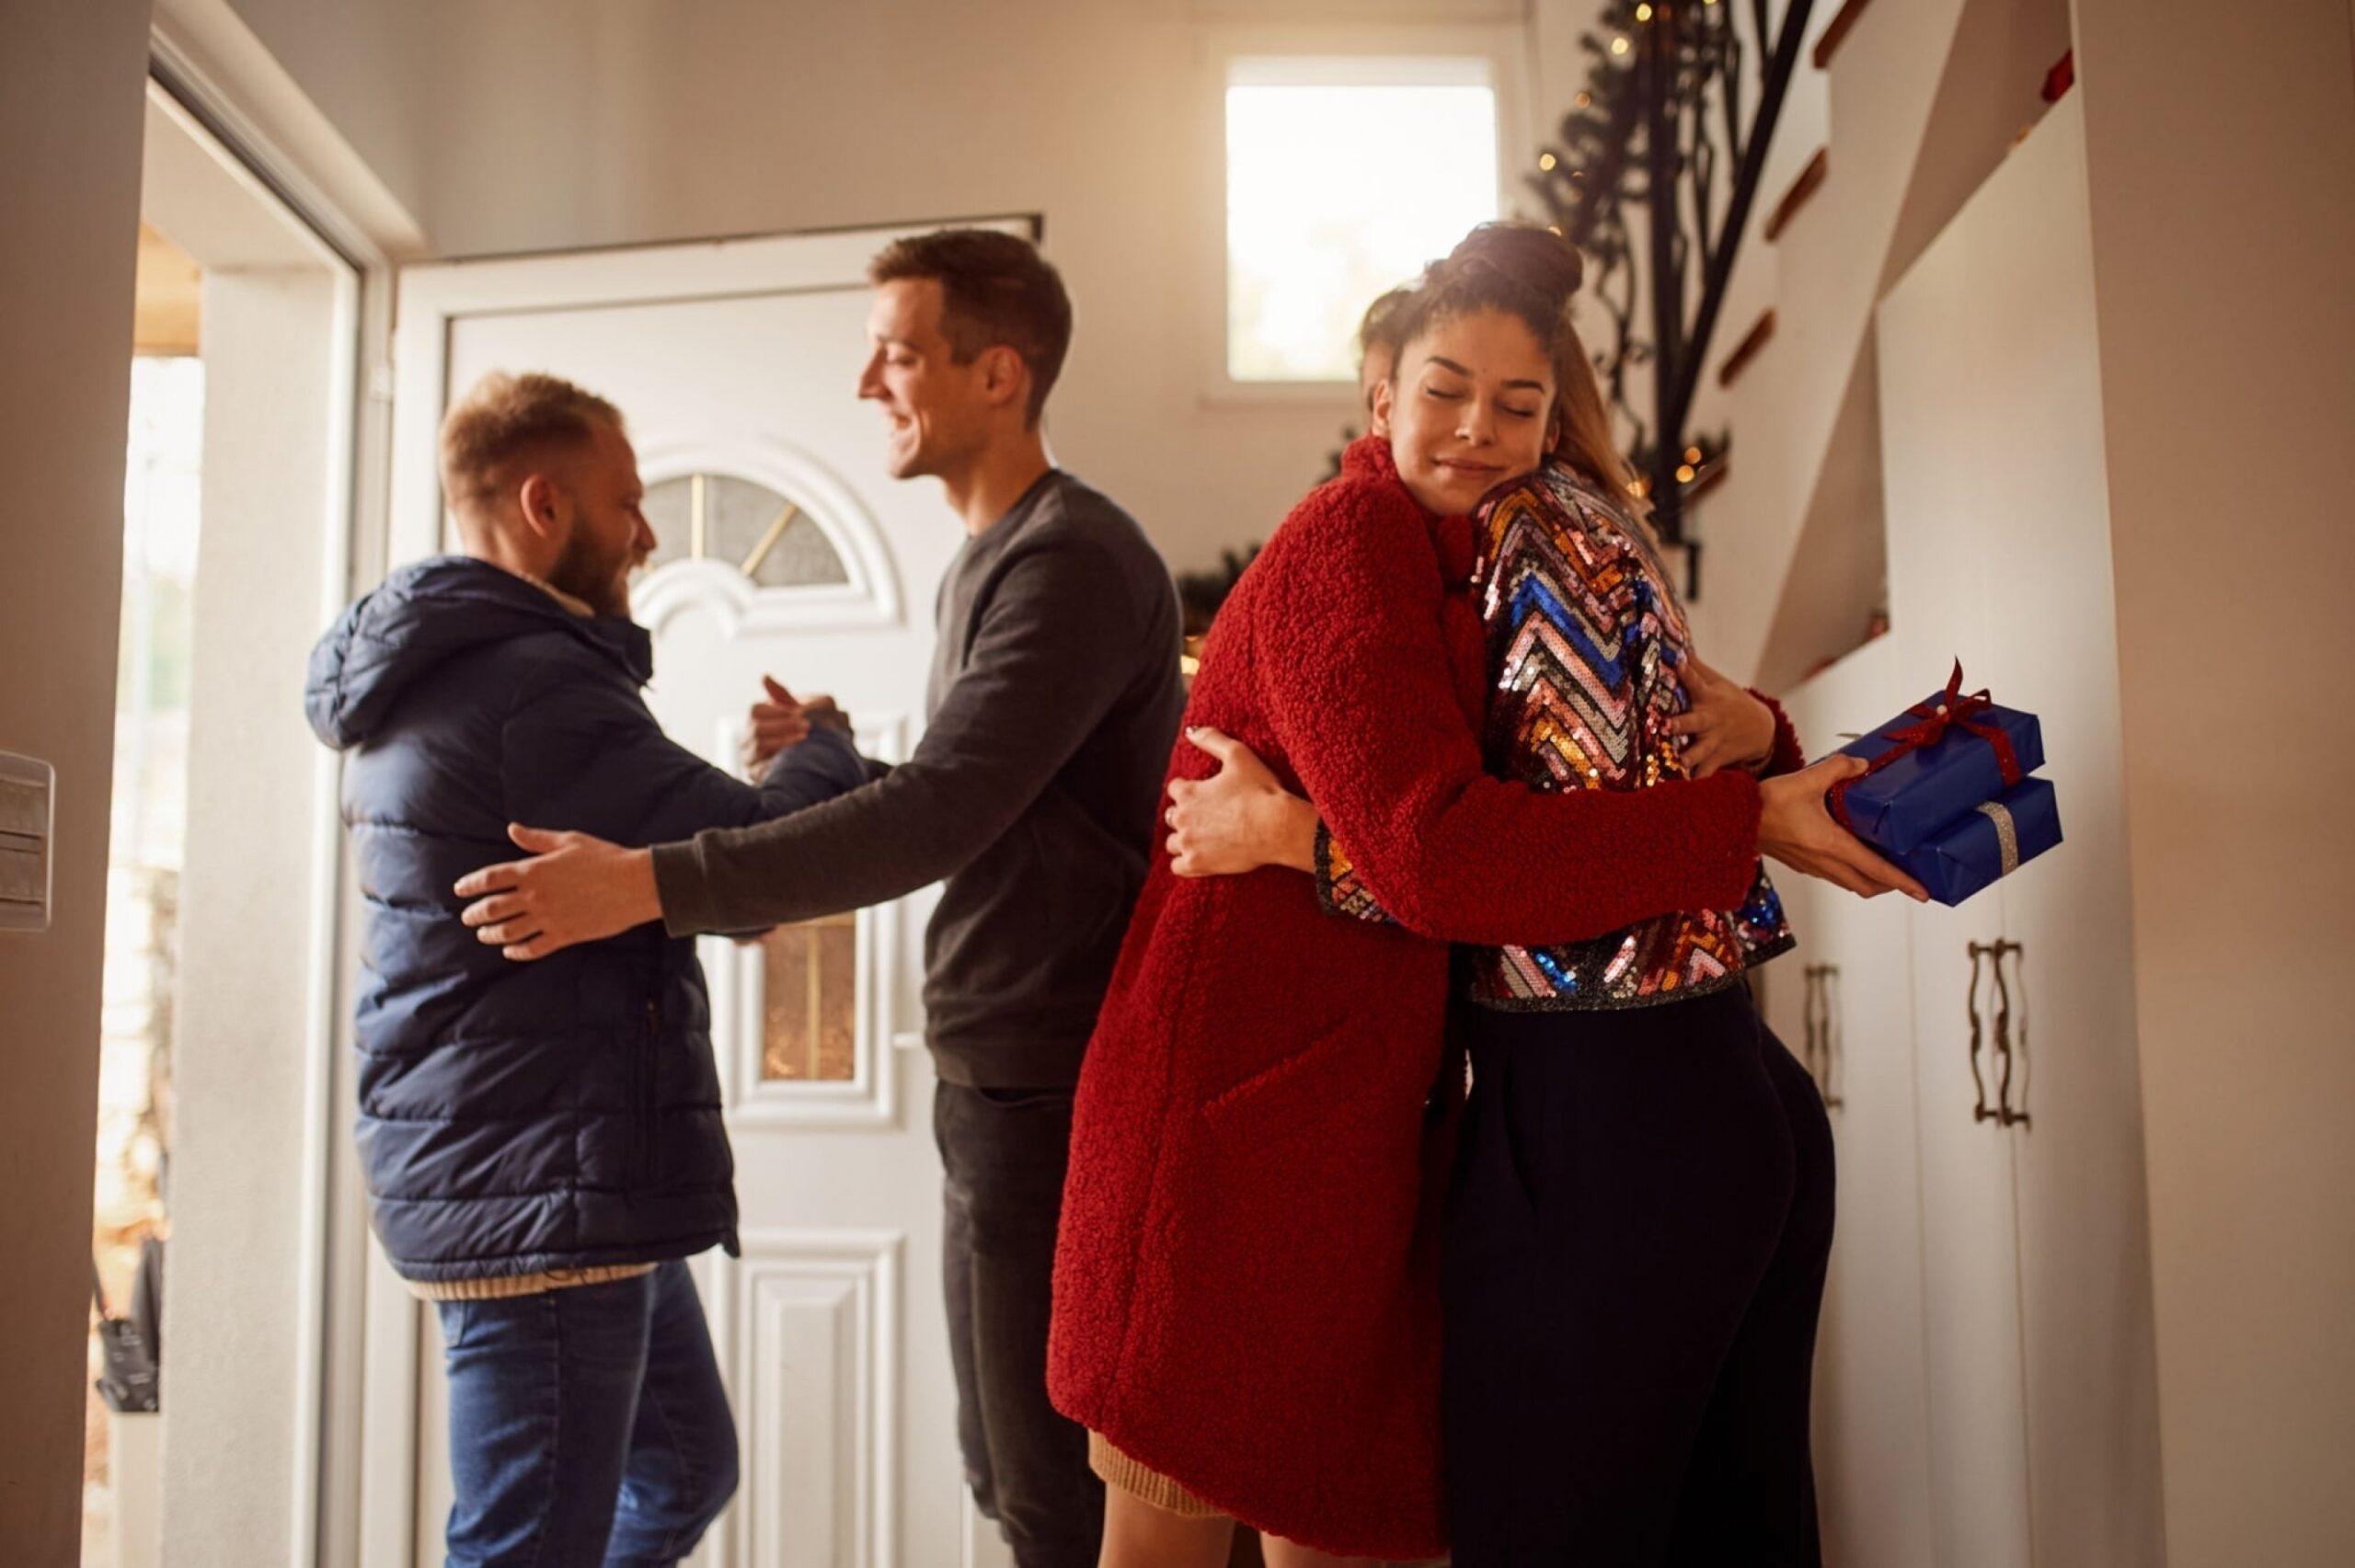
point(69, 119)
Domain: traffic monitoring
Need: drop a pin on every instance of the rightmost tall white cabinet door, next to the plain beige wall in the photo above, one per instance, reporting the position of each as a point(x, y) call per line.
point(2034, 397)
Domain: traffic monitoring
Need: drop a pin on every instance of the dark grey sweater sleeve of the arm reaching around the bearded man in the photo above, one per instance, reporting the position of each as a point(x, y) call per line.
point(1035, 686)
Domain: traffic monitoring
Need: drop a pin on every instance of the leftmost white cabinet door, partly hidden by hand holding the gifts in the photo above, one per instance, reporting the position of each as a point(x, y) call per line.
point(1843, 1002)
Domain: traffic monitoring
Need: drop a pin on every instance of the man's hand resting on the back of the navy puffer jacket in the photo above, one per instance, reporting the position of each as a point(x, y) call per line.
point(576, 889)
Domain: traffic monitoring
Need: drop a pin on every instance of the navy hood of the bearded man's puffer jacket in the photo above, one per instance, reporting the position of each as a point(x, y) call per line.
point(434, 611)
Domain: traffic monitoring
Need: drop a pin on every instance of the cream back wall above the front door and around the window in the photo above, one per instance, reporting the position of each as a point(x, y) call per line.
point(562, 124)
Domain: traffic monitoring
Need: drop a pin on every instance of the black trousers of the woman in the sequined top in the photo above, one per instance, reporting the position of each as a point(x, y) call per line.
point(1636, 1256)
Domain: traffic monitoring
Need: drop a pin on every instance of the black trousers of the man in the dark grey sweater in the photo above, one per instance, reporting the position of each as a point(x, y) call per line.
point(1004, 1155)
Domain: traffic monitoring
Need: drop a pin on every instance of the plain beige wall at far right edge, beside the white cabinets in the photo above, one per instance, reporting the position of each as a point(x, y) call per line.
point(2220, 159)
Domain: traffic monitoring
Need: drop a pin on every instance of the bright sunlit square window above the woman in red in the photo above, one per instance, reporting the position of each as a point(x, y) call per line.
point(1344, 180)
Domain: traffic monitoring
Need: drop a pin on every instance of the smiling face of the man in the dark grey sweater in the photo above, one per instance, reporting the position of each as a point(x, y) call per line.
point(936, 413)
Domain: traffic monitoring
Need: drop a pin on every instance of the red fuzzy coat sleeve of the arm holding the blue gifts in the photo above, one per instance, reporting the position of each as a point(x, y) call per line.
point(1360, 696)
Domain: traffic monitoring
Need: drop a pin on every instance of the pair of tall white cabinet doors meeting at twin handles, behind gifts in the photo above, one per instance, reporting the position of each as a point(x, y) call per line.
point(2038, 1282)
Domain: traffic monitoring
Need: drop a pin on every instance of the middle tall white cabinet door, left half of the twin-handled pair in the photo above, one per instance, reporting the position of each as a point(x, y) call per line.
point(1942, 477)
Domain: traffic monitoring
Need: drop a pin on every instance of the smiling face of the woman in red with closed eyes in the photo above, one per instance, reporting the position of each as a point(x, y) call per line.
point(1468, 408)
